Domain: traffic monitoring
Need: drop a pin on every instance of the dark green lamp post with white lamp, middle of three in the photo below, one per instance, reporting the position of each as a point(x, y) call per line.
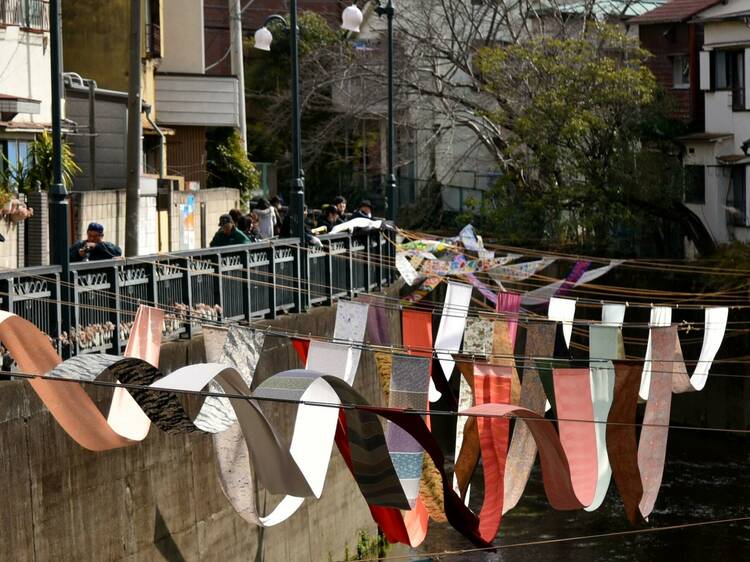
point(263, 39)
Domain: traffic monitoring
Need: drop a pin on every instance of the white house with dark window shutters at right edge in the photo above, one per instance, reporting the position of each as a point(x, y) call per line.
point(717, 158)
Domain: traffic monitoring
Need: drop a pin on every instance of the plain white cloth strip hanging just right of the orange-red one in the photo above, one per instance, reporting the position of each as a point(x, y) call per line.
point(451, 330)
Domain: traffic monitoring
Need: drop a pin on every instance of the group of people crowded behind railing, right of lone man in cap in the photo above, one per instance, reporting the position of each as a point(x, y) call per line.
point(269, 219)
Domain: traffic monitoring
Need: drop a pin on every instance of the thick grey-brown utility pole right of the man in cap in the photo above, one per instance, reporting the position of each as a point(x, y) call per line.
point(135, 150)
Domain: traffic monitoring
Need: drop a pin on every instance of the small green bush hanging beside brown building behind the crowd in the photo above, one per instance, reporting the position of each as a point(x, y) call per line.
point(228, 164)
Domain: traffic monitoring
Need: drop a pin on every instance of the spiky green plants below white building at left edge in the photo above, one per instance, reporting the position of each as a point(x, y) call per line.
point(24, 177)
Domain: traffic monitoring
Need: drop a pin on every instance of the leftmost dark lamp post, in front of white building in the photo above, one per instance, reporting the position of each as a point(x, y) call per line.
point(58, 216)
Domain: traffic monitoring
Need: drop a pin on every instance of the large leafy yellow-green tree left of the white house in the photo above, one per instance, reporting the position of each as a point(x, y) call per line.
point(587, 148)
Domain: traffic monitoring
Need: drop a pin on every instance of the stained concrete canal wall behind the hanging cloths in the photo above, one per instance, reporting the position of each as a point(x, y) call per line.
point(160, 499)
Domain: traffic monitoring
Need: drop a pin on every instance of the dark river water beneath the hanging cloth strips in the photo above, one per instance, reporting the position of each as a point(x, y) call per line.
point(707, 477)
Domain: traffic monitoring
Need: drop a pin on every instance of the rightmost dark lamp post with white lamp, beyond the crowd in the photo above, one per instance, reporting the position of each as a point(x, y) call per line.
point(351, 20)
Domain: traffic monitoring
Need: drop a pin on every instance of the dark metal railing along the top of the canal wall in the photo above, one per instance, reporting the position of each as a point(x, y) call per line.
point(222, 285)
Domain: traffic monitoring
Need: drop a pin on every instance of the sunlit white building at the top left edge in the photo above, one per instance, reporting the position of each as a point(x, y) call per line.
point(25, 96)
